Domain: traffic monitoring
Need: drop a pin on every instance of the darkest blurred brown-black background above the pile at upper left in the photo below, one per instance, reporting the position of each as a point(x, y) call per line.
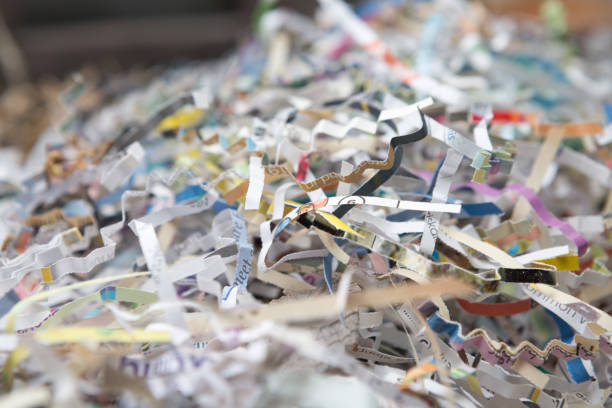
point(58, 36)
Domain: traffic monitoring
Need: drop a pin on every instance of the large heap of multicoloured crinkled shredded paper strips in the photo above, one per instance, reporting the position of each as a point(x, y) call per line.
point(397, 204)
